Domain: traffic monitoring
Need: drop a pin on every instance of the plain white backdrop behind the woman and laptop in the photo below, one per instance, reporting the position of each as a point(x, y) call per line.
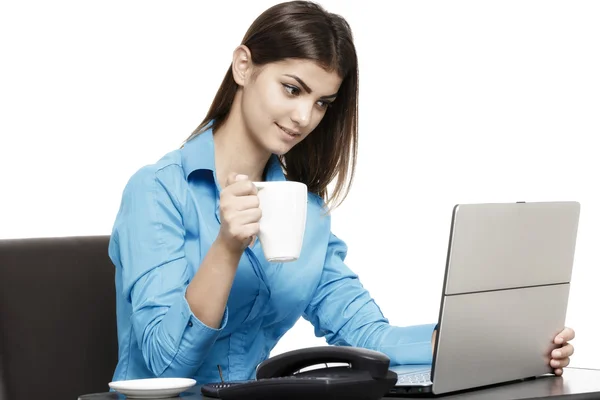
point(461, 101)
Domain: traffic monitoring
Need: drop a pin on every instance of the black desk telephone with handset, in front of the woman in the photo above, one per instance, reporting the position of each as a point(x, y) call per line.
point(366, 377)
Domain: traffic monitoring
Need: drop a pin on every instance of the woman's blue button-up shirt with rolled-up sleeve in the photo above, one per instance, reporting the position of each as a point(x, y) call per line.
point(167, 221)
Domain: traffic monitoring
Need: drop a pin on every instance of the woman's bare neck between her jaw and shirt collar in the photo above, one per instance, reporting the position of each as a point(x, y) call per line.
point(235, 151)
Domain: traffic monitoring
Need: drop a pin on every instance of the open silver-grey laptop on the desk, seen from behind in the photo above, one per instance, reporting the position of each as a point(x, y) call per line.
point(504, 297)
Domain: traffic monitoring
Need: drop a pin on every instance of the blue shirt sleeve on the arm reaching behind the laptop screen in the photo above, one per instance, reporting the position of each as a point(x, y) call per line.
point(344, 312)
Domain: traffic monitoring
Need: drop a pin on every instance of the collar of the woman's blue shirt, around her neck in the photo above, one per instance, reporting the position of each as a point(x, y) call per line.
point(199, 154)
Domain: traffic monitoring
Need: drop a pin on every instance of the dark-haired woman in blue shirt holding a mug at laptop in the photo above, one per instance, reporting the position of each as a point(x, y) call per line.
point(192, 292)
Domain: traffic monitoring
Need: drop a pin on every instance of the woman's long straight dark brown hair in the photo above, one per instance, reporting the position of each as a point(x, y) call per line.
point(304, 30)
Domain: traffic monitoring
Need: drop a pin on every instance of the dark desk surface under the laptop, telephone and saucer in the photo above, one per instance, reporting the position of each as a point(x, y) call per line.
point(575, 384)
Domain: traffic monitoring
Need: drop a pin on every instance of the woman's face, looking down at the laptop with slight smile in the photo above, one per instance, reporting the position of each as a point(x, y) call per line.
point(283, 102)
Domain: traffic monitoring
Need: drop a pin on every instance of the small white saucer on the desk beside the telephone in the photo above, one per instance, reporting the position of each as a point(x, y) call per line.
point(152, 388)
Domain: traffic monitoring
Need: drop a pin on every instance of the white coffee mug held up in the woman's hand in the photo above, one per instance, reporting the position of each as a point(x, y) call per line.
point(281, 232)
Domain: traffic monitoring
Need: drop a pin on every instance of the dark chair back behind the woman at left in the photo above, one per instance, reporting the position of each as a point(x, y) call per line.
point(58, 335)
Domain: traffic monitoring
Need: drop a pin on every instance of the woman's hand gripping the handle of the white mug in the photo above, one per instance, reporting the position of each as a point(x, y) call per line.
point(239, 212)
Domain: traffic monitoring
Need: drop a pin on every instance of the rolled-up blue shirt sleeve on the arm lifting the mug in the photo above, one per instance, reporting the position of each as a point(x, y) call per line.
point(149, 240)
